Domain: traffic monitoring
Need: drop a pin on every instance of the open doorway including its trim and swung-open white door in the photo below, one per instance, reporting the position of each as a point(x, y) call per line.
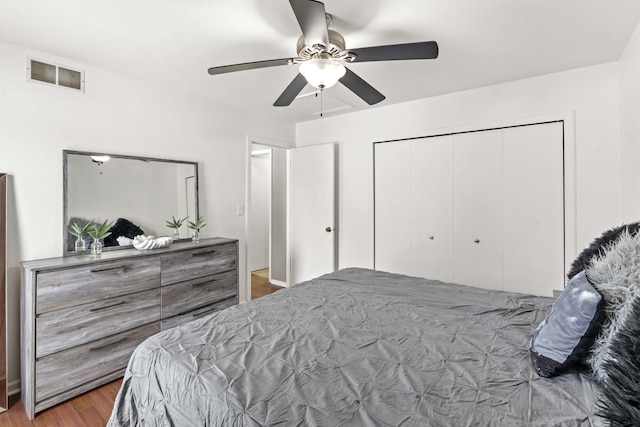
point(291, 209)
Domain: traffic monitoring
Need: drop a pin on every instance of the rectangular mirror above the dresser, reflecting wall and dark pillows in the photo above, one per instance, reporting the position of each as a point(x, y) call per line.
point(138, 194)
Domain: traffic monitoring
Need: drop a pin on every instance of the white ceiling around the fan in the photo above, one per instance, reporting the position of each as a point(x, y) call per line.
point(173, 42)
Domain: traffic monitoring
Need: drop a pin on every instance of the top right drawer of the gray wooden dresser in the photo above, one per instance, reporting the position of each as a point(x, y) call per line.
point(198, 262)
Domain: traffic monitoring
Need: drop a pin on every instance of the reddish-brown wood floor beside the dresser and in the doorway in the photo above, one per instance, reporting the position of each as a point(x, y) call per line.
point(93, 409)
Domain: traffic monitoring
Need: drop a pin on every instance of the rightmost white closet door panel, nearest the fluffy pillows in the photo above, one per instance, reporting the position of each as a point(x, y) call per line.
point(534, 208)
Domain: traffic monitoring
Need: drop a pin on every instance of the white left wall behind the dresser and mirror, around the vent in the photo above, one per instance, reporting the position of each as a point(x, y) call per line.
point(120, 115)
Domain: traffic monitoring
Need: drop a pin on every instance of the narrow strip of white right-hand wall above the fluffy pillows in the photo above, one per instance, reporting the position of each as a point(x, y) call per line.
point(630, 127)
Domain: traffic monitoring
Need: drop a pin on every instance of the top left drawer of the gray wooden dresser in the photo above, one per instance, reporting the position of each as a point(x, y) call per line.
point(80, 285)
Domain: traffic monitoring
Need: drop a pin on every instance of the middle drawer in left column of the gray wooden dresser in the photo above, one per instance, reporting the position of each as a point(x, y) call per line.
point(62, 329)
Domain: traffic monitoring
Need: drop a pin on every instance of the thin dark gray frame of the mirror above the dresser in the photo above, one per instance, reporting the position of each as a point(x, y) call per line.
point(65, 177)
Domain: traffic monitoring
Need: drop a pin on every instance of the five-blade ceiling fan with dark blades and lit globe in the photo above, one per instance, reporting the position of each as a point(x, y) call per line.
point(322, 52)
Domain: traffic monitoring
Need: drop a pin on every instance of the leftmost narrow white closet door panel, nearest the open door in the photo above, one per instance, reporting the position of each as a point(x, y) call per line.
point(393, 207)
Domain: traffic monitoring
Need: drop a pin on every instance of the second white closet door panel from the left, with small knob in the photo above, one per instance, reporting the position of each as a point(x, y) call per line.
point(432, 208)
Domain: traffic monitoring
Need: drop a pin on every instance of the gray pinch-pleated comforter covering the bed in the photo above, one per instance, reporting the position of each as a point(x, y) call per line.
point(355, 347)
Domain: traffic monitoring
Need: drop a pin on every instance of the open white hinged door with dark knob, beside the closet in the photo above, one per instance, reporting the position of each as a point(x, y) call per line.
point(312, 249)
